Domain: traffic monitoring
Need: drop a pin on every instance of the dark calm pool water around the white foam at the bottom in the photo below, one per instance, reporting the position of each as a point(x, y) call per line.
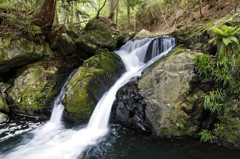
point(123, 144)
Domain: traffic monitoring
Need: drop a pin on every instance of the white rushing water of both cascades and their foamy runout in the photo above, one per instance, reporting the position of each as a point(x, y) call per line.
point(53, 141)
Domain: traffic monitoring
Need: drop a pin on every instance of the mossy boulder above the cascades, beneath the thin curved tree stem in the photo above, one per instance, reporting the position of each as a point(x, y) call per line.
point(99, 33)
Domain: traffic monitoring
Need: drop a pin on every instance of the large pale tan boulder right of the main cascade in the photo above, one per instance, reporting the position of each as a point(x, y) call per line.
point(165, 90)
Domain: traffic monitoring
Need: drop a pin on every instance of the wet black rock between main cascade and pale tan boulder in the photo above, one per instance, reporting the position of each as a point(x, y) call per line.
point(129, 109)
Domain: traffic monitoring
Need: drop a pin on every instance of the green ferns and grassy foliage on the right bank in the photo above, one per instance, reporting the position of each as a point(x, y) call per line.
point(224, 69)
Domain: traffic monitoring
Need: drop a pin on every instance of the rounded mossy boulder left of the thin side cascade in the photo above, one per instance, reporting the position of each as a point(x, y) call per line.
point(34, 88)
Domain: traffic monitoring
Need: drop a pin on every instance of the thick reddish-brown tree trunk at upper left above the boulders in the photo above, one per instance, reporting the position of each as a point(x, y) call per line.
point(44, 13)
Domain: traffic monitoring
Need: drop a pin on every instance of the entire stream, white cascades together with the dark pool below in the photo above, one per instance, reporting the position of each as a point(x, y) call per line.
point(99, 139)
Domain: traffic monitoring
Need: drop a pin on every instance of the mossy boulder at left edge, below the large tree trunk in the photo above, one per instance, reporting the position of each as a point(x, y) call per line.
point(19, 51)
